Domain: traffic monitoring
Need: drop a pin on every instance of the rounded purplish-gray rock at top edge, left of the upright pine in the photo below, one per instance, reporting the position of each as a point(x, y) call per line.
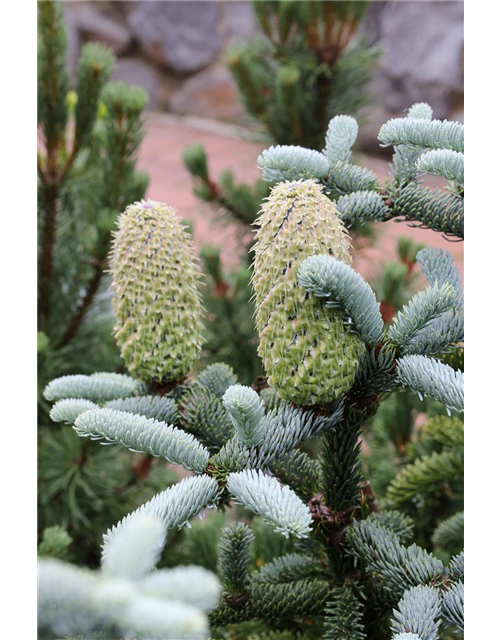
point(181, 36)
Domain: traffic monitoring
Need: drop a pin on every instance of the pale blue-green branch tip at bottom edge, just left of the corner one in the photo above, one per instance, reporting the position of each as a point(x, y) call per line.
point(418, 612)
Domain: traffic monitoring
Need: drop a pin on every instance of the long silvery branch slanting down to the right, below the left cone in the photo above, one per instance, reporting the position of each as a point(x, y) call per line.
point(142, 434)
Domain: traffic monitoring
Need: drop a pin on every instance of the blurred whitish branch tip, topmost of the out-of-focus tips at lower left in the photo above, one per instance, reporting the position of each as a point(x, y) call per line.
point(135, 549)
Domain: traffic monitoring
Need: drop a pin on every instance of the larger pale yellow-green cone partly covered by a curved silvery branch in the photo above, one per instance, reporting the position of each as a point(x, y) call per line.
point(308, 355)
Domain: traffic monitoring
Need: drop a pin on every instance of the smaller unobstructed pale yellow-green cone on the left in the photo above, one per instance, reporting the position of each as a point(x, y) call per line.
point(157, 301)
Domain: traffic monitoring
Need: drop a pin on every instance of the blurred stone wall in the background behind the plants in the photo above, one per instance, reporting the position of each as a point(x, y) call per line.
point(174, 50)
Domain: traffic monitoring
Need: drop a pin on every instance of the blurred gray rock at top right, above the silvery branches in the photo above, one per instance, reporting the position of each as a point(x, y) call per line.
point(424, 54)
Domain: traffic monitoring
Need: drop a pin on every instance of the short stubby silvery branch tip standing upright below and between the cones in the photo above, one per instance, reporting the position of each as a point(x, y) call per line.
point(246, 411)
